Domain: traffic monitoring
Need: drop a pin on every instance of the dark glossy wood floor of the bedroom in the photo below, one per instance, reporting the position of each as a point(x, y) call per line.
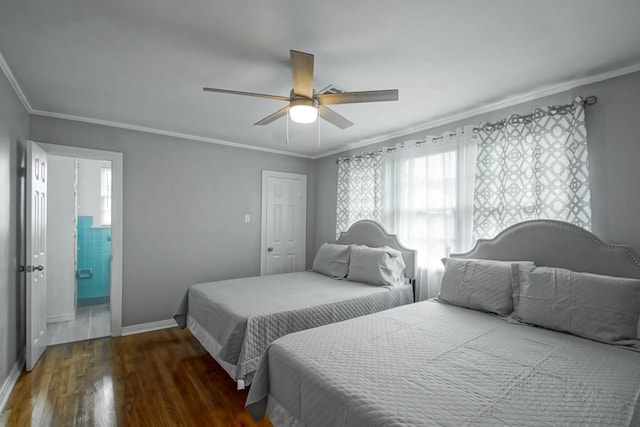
point(162, 378)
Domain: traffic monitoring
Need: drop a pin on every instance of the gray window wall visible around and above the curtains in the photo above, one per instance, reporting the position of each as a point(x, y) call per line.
point(613, 128)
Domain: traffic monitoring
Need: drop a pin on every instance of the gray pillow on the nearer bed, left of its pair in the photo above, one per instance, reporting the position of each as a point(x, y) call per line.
point(480, 284)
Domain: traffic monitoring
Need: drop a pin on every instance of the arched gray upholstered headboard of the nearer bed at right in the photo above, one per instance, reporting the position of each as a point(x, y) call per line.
point(557, 244)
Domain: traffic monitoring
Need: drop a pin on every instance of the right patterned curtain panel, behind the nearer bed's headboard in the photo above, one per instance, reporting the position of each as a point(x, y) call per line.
point(532, 167)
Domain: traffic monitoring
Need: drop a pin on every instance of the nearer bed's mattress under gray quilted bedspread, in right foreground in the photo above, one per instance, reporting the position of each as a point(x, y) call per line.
point(434, 364)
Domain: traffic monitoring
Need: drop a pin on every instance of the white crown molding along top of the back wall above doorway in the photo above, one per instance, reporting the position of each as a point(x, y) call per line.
point(164, 133)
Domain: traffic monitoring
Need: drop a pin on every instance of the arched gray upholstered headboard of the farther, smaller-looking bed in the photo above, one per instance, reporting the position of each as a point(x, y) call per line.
point(370, 233)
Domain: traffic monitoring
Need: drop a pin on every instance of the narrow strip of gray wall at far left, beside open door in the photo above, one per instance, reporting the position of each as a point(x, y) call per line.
point(14, 126)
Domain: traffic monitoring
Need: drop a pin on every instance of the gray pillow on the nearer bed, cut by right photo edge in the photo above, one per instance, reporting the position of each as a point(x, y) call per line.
point(601, 308)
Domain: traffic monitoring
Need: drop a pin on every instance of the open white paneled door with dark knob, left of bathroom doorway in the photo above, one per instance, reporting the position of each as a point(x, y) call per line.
point(36, 237)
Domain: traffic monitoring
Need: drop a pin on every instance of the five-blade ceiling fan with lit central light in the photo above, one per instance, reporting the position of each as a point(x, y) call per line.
point(305, 105)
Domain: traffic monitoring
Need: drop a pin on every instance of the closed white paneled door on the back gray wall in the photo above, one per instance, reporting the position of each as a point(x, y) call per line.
point(284, 214)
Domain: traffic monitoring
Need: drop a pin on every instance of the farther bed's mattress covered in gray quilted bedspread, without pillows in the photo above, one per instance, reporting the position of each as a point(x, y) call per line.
point(237, 319)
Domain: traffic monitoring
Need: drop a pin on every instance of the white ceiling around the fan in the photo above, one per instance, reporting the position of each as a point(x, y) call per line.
point(143, 63)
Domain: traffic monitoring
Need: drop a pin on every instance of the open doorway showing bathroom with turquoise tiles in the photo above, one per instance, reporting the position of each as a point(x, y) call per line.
point(79, 242)
